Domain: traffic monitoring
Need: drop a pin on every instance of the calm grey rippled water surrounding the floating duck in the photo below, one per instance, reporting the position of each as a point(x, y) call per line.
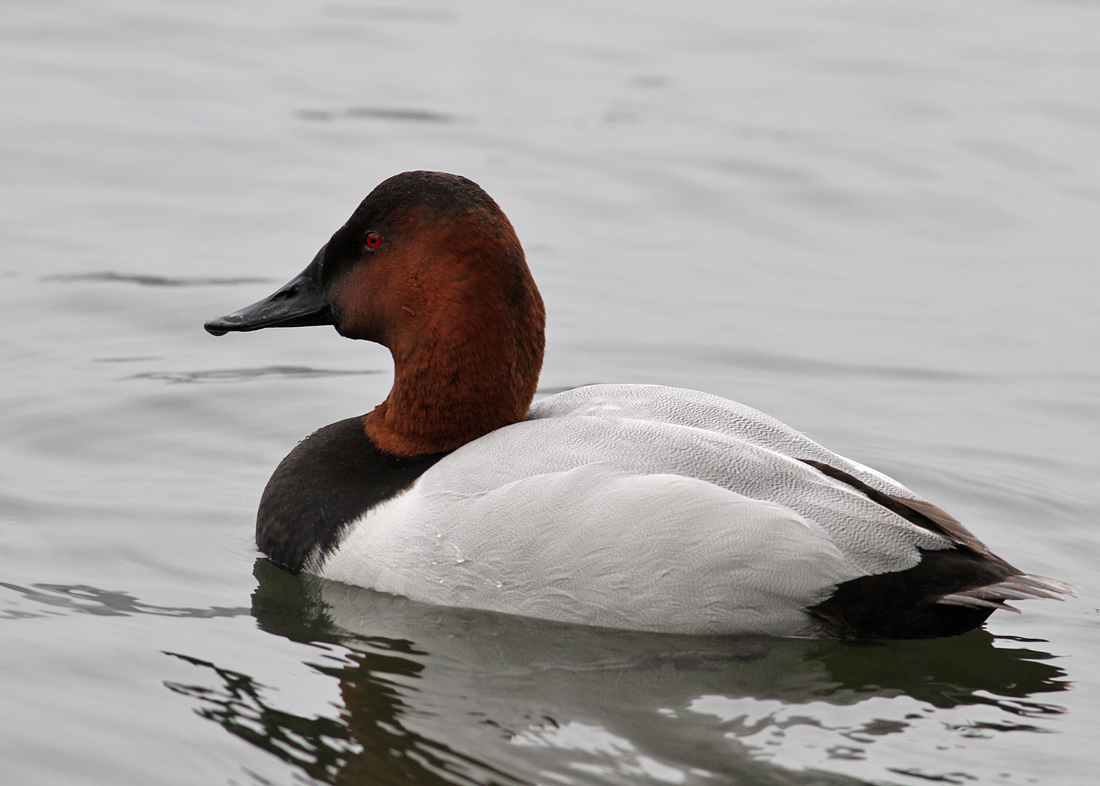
point(873, 220)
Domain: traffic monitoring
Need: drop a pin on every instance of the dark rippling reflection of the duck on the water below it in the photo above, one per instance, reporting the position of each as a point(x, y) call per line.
point(435, 695)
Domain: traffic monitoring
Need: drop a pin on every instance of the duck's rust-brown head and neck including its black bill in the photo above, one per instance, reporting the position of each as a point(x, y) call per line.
point(431, 268)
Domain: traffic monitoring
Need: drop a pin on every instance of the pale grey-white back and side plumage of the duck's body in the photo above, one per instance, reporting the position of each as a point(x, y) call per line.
point(639, 507)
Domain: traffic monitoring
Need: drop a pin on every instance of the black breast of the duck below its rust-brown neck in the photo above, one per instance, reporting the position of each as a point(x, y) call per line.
point(331, 480)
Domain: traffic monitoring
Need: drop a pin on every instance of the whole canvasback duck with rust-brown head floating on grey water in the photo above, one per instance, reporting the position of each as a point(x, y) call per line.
point(624, 506)
